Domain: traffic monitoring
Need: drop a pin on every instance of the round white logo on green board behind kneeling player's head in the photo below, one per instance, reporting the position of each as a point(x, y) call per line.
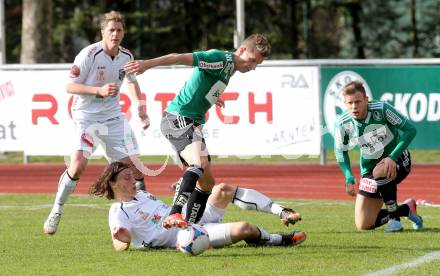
point(333, 99)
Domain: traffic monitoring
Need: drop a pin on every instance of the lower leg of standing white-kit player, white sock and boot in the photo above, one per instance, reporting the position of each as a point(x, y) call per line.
point(66, 186)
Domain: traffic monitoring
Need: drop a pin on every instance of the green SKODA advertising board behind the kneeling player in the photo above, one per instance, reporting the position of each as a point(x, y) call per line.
point(413, 90)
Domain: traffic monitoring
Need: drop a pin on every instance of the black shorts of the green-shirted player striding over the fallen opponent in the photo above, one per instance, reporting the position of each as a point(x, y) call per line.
point(181, 131)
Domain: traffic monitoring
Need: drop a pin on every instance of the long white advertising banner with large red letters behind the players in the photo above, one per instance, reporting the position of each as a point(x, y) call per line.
point(269, 111)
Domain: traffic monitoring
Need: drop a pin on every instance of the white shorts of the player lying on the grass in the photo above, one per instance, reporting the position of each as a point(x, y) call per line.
point(219, 233)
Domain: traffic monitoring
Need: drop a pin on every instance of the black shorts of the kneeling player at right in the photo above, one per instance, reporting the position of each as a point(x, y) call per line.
point(403, 169)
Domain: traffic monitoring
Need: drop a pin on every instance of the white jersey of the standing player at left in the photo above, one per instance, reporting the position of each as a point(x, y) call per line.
point(93, 67)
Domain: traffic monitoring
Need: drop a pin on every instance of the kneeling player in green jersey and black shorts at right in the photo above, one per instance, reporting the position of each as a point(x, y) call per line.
point(383, 136)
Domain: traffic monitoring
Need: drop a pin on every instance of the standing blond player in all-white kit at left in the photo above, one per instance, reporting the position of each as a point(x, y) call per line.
point(95, 79)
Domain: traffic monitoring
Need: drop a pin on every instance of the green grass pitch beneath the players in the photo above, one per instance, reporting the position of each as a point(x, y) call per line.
point(82, 246)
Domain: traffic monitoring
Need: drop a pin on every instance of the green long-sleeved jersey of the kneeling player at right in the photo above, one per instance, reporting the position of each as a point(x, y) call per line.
point(383, 133)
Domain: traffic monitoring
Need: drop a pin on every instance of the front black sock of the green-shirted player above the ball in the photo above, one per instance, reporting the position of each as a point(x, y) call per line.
point(189, 180)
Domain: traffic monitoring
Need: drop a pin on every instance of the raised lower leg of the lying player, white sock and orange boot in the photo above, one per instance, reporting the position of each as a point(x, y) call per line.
point(249, 199)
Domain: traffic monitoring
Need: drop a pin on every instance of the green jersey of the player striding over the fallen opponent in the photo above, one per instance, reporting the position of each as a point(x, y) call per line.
point(211, 74)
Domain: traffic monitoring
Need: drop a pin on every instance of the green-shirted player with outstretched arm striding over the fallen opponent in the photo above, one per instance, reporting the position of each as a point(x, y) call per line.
point(184, 117)
